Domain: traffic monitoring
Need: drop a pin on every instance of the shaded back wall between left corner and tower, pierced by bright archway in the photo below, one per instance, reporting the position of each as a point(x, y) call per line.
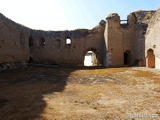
point(57, 51)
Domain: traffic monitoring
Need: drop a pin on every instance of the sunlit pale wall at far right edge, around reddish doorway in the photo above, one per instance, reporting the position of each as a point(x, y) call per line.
point(153, 39)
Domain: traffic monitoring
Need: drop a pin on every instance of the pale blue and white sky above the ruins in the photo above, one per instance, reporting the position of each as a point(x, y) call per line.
point(69, 14)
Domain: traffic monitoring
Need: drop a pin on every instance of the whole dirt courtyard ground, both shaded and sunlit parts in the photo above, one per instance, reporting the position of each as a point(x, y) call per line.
point(37, 93)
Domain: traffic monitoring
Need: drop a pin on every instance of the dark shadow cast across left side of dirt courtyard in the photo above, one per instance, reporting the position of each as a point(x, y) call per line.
point(21, 91)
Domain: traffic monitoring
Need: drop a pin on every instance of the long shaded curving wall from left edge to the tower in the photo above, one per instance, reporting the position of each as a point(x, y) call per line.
point(19, 43)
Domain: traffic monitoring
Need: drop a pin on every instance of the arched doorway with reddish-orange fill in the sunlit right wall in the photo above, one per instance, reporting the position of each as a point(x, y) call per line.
point(151, 58)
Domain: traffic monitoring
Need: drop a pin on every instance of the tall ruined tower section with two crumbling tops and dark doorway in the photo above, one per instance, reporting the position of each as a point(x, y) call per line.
point(122, 38)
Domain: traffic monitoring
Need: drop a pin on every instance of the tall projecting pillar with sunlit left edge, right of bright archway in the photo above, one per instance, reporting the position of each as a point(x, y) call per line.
point(113, 39)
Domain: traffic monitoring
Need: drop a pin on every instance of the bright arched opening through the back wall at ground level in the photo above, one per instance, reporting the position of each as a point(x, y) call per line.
point(90, 59)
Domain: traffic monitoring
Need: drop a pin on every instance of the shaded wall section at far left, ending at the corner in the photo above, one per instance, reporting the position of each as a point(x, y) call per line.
point(13, 41)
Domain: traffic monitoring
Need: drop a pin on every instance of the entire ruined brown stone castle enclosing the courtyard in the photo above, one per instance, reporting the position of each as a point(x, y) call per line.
point(115, 42)
